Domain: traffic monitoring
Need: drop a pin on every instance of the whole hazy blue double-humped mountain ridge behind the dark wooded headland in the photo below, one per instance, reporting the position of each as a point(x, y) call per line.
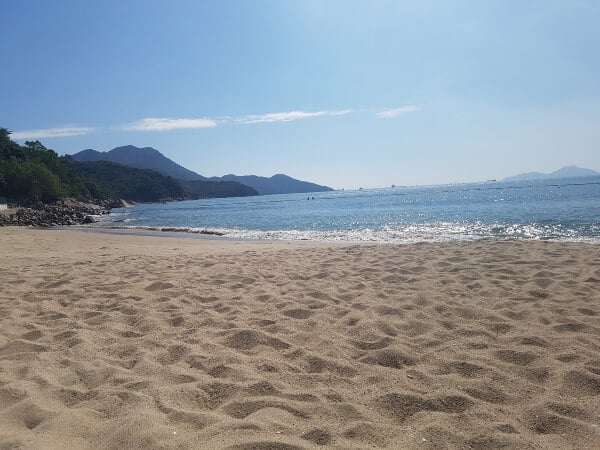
point(150, 158)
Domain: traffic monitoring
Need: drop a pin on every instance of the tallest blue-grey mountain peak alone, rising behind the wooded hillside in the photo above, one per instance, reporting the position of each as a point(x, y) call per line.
point(139, 158)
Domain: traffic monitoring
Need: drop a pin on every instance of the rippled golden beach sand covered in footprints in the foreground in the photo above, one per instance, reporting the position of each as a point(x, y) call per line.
point(124, 342)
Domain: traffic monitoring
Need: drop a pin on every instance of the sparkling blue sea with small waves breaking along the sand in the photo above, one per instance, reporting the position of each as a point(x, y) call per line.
point(562, 209)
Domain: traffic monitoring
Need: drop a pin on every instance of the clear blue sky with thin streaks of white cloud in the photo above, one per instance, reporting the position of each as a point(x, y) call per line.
point(345, 93)
